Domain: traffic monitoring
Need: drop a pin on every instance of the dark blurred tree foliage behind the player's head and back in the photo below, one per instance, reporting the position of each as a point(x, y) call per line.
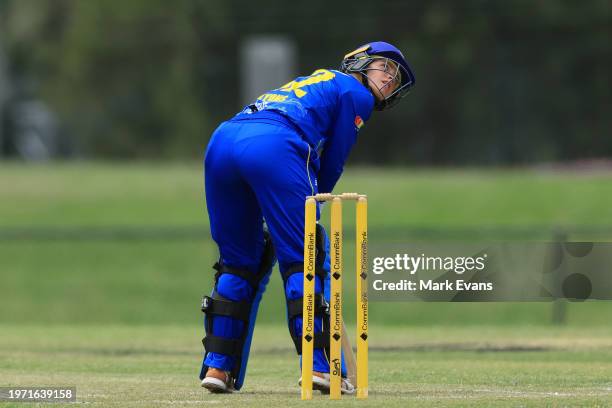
point(497, 82)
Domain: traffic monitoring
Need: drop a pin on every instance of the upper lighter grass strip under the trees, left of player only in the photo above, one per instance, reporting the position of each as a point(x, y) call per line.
point(92, 194)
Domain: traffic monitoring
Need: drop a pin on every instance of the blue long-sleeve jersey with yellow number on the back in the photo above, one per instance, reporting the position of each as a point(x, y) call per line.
point(328, 108)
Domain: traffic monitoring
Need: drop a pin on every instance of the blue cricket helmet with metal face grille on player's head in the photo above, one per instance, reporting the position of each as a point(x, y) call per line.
point(360, 61)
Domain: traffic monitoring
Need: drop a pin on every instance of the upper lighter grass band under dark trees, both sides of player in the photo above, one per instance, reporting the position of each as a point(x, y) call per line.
point(98, 194)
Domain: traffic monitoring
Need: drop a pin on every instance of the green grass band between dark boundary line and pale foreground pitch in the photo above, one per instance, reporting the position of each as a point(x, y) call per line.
point(162, 282)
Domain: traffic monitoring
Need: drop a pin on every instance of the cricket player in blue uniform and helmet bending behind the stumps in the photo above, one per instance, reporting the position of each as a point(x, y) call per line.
point(259, 167)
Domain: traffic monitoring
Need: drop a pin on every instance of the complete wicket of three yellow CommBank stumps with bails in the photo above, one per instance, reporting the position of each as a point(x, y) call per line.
point(361, 230)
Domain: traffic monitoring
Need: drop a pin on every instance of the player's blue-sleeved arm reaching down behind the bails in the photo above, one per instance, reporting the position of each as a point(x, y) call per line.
point(342, 137)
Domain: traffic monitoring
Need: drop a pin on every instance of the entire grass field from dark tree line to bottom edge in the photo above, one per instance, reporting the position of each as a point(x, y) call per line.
point(103, 266)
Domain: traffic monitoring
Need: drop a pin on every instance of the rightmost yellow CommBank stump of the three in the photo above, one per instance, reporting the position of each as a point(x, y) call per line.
point(362, 296)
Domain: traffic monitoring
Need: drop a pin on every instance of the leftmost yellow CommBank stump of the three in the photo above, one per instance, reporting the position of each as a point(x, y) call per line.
point(310, 219)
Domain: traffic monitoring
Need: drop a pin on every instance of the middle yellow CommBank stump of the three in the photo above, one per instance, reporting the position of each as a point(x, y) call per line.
point(335, 333)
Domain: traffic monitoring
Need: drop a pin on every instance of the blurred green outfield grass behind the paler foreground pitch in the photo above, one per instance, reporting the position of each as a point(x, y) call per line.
point(105, 279)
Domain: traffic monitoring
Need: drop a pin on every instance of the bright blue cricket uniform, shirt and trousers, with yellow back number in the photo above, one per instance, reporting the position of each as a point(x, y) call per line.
point(261, 164)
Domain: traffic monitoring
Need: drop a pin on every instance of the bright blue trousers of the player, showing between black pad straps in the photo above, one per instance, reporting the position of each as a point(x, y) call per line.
point(258, 169)
